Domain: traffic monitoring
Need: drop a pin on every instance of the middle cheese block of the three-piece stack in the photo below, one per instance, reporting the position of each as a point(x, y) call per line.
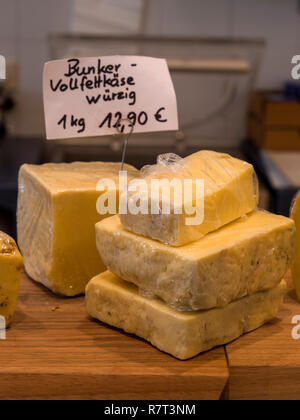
point(249, 255)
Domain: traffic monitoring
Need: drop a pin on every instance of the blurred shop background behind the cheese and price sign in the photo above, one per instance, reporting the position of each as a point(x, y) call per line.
point(230, 61)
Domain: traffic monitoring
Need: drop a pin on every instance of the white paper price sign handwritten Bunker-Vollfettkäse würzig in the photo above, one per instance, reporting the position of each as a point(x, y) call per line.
point(101, 95)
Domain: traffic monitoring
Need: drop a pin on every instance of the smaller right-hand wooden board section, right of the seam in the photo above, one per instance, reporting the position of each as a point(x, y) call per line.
point(265, 364)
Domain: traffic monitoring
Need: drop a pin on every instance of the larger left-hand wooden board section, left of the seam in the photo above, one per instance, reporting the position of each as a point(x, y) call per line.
point(54, 351)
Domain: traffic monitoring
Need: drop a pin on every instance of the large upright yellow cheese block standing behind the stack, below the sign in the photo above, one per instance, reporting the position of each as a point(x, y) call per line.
point(56, 222)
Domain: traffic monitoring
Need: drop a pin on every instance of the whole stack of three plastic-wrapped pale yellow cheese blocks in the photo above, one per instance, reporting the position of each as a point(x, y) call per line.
point(187, 289)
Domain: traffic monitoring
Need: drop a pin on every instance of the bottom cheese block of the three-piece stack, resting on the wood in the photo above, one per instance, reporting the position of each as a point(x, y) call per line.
point(182, 334)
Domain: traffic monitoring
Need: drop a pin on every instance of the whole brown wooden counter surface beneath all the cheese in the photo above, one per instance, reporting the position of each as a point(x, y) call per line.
point(55, 351)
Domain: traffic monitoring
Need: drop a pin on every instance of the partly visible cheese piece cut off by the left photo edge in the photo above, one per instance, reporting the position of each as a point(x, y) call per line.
point(10, 273)
